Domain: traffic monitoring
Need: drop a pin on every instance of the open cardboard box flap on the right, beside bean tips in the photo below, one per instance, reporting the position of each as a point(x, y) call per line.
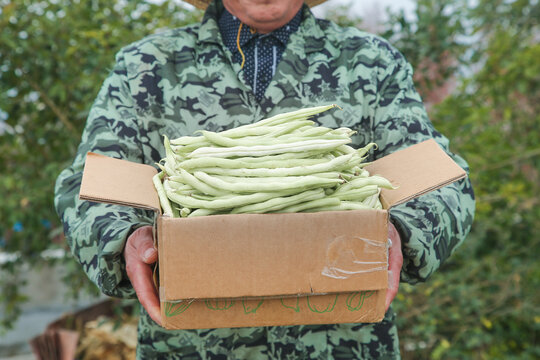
point(415, 170)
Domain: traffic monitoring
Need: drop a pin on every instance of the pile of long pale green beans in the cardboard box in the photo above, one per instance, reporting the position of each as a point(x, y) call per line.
point(281, 164)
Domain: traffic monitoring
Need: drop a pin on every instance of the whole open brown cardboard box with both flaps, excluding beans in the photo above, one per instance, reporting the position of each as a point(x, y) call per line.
point(272, 269)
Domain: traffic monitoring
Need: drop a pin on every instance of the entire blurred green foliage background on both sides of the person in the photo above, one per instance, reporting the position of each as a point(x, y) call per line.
point(481, 59)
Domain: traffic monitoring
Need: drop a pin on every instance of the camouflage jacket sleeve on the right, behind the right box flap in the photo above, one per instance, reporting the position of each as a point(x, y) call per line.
point(433, 225)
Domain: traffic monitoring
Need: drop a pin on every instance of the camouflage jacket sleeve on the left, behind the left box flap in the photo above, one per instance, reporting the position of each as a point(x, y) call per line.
point(95, 232)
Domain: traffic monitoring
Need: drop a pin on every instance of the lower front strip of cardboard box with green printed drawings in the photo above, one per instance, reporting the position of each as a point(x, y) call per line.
point(354, 307)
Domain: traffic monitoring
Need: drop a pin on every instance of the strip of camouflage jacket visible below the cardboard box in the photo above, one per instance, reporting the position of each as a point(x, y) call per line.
point(345, 341)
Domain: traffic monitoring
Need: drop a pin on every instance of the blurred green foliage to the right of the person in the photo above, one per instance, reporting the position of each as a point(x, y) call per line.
point(484, 302)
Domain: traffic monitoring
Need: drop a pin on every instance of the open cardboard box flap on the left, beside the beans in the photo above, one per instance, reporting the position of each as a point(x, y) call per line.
point(121, 182)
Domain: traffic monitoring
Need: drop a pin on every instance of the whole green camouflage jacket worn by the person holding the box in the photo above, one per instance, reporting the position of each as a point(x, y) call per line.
point(184, 80)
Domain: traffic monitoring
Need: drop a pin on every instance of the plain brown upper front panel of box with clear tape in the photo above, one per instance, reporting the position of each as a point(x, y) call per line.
point(233, 256)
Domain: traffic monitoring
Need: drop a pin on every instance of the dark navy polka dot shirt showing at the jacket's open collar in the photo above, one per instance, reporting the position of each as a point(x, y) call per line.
point(262, 52)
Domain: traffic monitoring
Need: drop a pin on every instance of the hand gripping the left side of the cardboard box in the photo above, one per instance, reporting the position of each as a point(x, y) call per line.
point(139, 255)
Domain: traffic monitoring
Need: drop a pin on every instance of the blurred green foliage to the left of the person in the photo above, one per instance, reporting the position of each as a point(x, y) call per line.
point(54, 55)
